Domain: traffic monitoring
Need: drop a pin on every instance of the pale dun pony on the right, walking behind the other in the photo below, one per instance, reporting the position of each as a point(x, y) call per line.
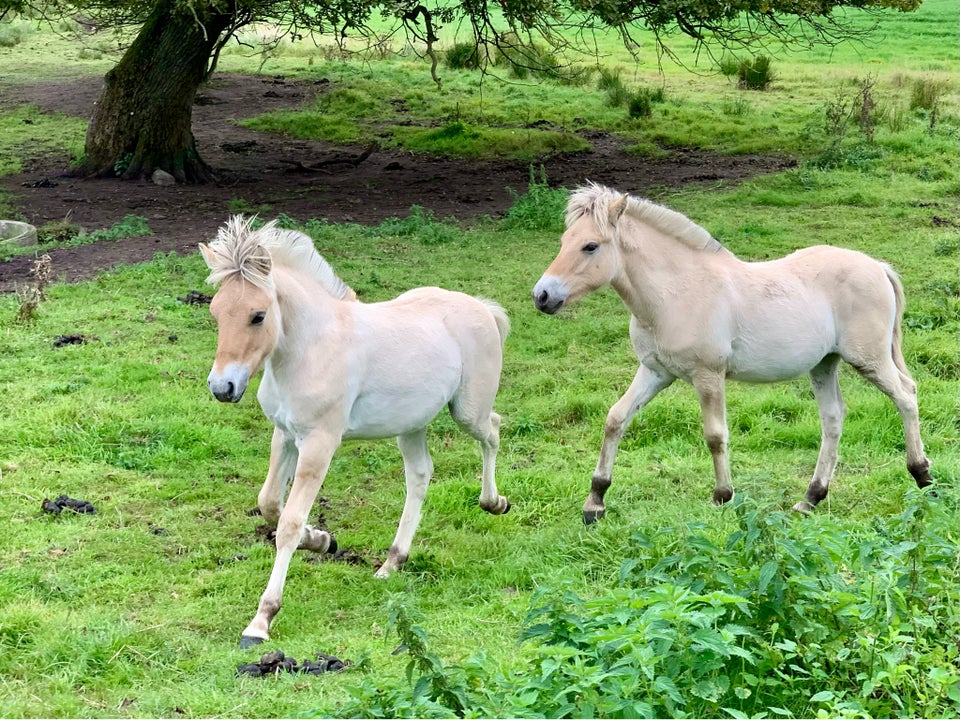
point(701, 314)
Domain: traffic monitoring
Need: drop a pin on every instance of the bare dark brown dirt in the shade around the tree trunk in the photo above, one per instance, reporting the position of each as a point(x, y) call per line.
point(270, 170)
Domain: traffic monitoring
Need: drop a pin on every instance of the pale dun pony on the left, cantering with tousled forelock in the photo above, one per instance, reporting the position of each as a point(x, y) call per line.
point(337, 369)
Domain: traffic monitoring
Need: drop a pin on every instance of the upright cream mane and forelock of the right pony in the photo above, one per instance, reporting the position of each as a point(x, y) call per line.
point(595, 200)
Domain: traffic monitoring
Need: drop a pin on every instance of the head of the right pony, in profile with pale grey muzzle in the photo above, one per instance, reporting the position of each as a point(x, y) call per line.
point(589, 255)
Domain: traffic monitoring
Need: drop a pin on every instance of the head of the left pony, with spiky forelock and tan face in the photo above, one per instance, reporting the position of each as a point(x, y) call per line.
point(245, 307)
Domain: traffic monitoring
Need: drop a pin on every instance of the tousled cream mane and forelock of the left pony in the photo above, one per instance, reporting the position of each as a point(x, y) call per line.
point(251, 254)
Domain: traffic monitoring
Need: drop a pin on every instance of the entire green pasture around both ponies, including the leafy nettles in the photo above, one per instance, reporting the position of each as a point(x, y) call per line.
point(669, 606)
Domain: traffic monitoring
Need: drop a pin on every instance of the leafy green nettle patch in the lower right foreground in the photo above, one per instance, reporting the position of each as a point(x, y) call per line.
point(782, 616)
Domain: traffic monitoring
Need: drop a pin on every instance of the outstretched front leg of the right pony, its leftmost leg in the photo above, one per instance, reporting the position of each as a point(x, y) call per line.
point(646, 384)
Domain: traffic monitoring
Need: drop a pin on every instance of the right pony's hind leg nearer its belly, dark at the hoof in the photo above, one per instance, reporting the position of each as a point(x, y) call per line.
point(826, 390)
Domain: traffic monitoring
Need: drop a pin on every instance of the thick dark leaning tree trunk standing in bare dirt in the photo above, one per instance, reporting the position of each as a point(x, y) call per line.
point(142, 120)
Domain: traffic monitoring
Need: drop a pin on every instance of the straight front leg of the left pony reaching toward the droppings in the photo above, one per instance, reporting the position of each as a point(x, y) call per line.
point(316, 450)
